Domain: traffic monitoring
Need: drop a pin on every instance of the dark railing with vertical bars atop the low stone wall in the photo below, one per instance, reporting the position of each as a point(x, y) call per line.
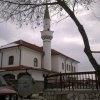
point(77, 80)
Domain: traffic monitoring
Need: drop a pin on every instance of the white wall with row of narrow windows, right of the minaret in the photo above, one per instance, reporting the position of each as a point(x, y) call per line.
point(57, 61)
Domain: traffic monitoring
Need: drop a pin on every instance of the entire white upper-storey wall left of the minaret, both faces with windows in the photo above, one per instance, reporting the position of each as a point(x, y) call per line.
point(27, 56)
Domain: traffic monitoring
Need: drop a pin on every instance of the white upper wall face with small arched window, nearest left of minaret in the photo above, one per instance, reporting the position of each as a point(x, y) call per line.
point(28, 55)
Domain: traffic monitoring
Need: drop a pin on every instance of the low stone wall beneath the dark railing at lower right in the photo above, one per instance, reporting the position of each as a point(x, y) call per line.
point(72, 94)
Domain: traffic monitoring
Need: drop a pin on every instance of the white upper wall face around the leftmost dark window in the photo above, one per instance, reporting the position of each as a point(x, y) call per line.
point(10, 52)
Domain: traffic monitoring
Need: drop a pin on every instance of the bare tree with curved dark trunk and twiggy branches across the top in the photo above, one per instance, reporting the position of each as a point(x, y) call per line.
point(31, 11)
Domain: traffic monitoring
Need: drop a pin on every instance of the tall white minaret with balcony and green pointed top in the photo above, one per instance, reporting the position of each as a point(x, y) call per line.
point(47, 36)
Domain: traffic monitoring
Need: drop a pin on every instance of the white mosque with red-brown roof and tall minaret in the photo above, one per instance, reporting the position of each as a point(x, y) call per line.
point(19, 56)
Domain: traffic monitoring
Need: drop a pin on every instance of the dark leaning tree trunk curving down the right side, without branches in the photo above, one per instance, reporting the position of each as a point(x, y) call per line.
point(83, 34)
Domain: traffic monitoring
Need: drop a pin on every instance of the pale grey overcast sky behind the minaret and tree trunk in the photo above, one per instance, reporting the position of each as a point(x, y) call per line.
point(66, 38)
